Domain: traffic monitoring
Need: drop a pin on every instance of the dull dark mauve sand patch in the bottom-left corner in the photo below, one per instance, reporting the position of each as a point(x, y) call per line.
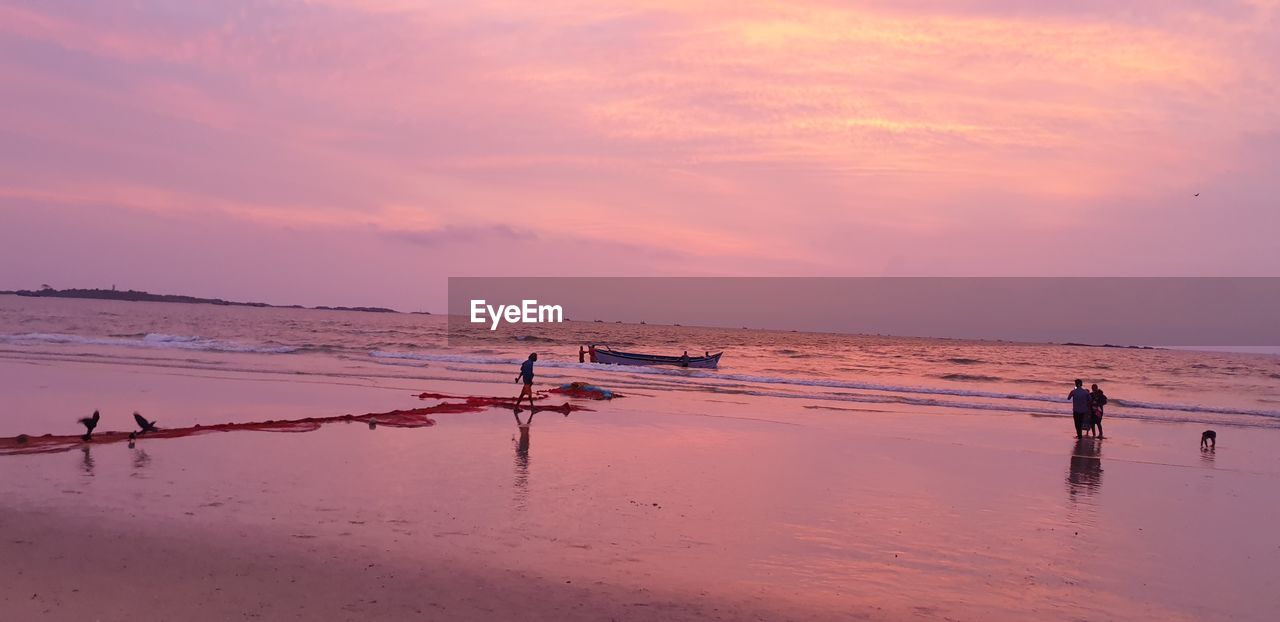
point(107, 569)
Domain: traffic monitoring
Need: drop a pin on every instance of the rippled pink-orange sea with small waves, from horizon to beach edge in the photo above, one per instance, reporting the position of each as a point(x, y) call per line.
point(829, 373)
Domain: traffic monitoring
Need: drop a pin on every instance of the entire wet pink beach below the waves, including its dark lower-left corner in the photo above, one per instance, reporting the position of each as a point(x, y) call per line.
point(651, 507)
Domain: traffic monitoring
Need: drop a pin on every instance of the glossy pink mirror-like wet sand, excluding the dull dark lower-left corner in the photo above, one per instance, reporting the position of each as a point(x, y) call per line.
point(899, 513)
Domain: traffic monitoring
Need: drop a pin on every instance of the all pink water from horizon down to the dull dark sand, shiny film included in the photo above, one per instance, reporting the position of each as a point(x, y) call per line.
point(890, 495)
